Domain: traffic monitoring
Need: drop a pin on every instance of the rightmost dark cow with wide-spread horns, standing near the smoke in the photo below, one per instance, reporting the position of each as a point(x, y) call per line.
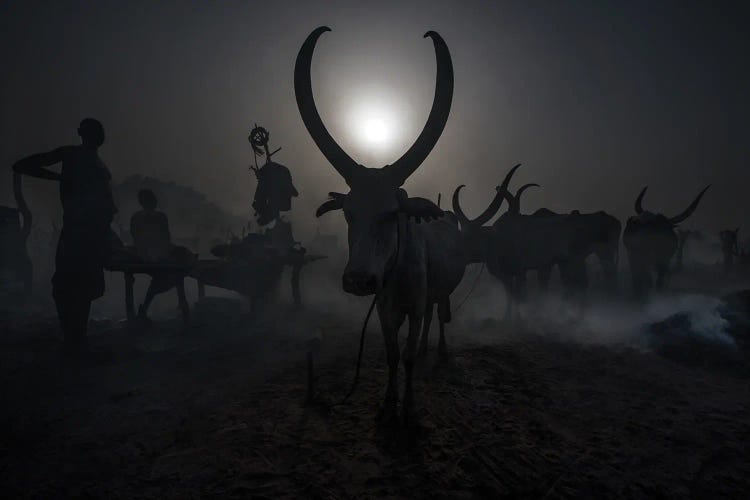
point(651, 242)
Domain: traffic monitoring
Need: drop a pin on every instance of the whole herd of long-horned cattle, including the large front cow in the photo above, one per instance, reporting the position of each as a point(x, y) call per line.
point(412, 255)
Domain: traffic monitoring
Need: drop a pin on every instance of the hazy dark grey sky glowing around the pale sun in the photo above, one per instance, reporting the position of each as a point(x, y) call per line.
point(596, 98)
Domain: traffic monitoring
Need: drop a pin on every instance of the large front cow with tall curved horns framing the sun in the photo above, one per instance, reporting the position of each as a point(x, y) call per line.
point(406, 263)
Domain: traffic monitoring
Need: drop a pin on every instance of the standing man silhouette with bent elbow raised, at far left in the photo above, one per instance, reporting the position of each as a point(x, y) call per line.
point(84, 245)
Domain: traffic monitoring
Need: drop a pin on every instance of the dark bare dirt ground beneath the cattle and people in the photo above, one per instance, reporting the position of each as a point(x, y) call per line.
point(220, 410)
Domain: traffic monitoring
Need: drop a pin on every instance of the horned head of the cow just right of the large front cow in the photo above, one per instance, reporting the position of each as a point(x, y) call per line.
point(475, 234)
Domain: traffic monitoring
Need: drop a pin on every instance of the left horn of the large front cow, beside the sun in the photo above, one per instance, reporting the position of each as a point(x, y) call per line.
point(341, 161)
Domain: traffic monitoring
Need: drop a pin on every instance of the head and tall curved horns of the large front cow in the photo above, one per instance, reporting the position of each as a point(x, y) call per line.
point(376, 204)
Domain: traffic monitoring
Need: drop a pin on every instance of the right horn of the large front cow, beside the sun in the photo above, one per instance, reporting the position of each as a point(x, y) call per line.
point(441, 106)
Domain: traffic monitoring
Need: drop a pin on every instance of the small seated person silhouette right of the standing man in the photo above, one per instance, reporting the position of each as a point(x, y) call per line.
point(152, 243)
